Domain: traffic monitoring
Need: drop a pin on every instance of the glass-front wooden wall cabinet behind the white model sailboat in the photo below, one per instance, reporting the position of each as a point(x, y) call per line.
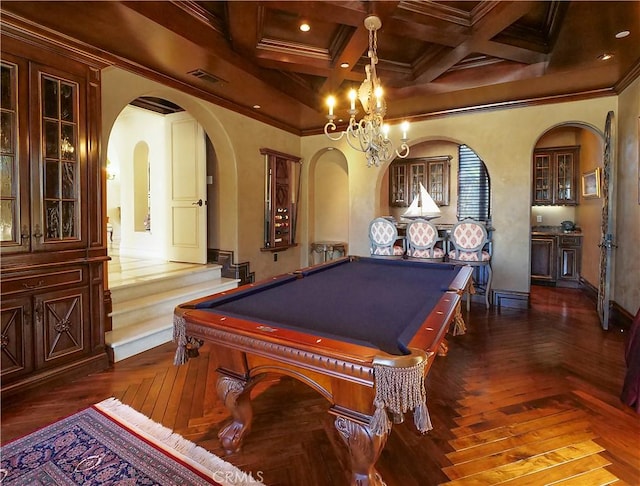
point(405, 176)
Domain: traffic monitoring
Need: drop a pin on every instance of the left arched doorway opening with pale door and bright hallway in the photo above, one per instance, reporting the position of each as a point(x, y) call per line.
point(156, 204)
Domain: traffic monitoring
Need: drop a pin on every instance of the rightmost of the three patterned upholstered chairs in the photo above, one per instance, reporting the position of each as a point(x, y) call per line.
point(469, 244)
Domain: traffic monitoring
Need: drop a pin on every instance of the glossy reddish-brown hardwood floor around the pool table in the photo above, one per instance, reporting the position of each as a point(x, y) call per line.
point(526, 397)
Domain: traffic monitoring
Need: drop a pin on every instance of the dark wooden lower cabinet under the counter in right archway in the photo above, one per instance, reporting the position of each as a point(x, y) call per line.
point(555, 259)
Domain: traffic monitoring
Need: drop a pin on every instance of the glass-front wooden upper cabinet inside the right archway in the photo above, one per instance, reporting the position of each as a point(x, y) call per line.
point(555, 176)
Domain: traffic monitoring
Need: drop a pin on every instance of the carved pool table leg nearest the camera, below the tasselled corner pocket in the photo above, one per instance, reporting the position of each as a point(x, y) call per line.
point(364, 448)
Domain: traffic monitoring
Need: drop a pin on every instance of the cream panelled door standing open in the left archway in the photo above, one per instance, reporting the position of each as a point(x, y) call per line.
point(187, 218)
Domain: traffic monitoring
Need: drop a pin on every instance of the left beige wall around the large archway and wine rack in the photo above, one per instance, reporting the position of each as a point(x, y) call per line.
point(237, 141)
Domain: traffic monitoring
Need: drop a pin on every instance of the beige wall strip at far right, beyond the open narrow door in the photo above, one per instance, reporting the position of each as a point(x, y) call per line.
point(626, 289)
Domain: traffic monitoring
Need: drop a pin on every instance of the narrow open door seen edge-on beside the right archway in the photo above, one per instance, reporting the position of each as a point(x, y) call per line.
point(607, 245)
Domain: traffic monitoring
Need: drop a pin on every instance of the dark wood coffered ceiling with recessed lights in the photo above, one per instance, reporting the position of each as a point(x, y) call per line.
point(436, 57)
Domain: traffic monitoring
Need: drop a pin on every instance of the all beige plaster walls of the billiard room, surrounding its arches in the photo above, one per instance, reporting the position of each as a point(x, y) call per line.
point(503, 139)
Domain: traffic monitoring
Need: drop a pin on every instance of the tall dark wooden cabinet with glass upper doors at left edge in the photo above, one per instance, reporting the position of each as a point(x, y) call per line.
point(51, 234)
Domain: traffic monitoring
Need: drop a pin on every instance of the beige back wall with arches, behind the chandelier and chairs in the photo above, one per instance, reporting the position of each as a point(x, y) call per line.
point(504, 140)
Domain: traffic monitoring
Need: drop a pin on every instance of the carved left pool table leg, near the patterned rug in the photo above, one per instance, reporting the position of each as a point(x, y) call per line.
point(234, 393)
